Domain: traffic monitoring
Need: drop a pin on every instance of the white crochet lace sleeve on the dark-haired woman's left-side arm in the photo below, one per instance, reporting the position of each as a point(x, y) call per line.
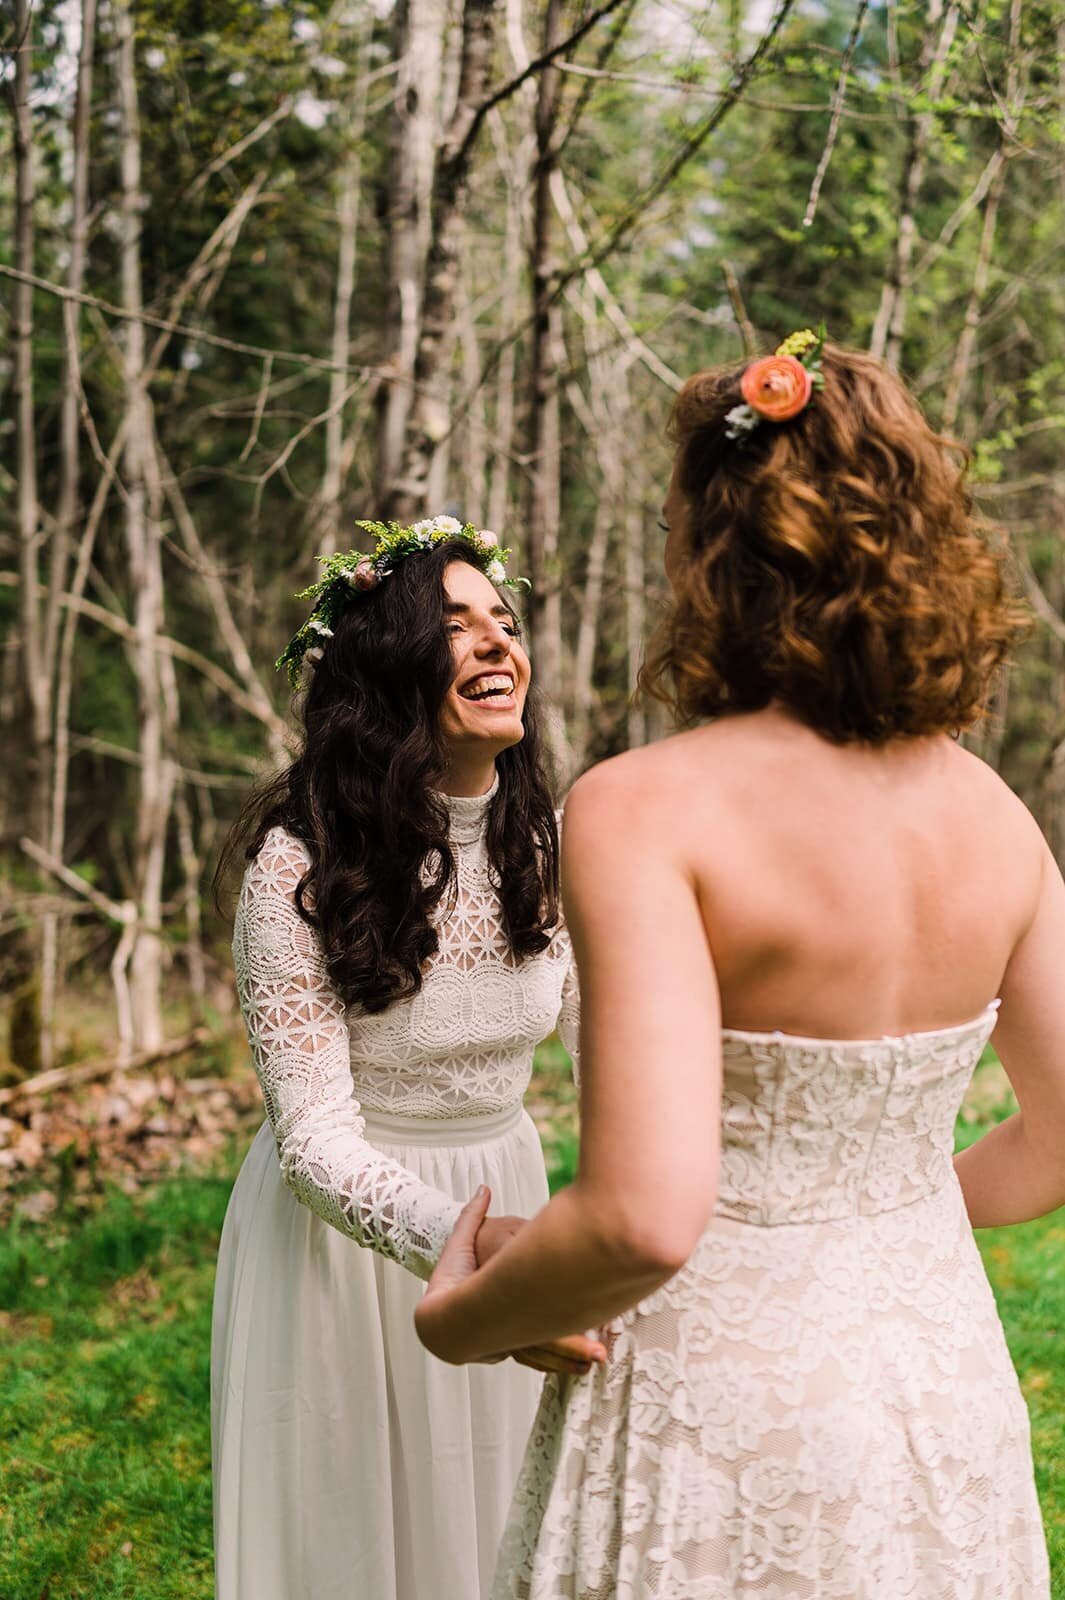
point(298, 1036)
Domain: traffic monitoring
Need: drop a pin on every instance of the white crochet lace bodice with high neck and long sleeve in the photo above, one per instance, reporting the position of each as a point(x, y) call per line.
point(463, 1047)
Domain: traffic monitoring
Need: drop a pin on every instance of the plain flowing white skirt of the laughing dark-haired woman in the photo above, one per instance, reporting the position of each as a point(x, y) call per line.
point(349, 1465)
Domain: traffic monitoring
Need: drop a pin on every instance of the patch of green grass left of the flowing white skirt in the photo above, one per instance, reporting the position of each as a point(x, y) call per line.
point(105, 1473)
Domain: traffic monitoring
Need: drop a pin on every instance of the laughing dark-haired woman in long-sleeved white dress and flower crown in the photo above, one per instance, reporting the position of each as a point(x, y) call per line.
point(399, 954)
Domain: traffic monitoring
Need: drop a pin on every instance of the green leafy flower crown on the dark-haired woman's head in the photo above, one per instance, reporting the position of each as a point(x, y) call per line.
point(354, 572)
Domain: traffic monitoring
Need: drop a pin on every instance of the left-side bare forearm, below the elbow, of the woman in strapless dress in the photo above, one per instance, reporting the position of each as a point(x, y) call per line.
point(565, 1273)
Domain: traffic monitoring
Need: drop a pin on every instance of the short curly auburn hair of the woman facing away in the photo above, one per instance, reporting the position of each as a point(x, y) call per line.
point(832, 564)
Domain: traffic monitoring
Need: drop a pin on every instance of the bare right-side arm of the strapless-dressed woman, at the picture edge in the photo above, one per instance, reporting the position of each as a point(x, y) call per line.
point(1018, 1172)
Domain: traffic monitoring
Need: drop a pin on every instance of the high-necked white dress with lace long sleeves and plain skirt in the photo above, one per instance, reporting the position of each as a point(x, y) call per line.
point(349, 1465)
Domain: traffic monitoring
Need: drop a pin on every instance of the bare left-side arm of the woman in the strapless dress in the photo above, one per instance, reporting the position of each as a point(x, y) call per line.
point(650, 1089)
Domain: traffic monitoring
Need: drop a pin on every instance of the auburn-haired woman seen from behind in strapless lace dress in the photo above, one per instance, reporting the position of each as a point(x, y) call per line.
point(797, 926)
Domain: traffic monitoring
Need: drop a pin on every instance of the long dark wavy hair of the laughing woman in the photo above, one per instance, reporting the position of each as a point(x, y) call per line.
point(362, 798)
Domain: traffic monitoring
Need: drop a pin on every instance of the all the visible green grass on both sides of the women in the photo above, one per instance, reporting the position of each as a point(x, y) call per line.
point(105, 1351)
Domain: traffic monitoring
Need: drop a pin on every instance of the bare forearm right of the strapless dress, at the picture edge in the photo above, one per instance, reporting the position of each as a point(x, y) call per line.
point(1007, 1177)
